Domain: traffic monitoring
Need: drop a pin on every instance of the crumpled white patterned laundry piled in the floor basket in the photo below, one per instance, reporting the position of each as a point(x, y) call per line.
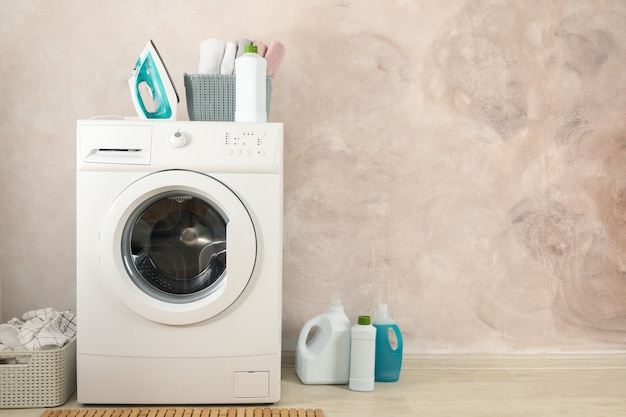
point(37, 329)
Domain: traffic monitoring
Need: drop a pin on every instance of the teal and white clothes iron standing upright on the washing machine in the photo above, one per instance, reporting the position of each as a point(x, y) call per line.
point(151, 87)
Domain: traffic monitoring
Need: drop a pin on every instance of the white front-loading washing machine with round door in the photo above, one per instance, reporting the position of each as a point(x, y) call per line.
point(179, 262)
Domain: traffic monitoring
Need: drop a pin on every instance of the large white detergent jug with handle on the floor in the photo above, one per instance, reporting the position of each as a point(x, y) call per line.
point(323, 350)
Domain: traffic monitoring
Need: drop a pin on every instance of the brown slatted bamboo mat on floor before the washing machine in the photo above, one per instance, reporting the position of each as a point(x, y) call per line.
point(184, 412)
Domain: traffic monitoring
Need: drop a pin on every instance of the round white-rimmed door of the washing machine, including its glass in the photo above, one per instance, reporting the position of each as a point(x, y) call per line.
point(177, 247)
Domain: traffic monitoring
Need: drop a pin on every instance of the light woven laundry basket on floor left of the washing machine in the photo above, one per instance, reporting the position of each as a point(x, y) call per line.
point(47, 380)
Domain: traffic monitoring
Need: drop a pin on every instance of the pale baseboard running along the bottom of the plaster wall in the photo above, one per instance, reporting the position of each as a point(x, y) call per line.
point(502, 361)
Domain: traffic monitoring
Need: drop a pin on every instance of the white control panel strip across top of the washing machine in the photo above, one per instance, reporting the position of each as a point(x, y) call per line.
point(205, 146)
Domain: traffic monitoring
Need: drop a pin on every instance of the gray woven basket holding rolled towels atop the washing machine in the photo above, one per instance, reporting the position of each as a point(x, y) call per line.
point(211, 97)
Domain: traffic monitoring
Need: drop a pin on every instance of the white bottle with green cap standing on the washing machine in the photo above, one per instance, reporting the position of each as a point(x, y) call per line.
point(250, 87)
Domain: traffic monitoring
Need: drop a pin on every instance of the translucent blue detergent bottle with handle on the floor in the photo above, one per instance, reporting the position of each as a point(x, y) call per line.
point(388, 347)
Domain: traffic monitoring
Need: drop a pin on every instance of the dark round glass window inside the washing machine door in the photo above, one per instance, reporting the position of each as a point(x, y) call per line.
point(174, 247)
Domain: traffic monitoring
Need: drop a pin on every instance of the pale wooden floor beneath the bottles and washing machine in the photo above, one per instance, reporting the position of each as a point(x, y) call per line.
point(502, 386)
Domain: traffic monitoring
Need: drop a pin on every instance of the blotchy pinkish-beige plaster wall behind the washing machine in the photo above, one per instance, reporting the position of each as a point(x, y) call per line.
point(463, 161)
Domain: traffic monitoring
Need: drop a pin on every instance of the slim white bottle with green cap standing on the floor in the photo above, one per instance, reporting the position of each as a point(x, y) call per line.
point(362, 355)
